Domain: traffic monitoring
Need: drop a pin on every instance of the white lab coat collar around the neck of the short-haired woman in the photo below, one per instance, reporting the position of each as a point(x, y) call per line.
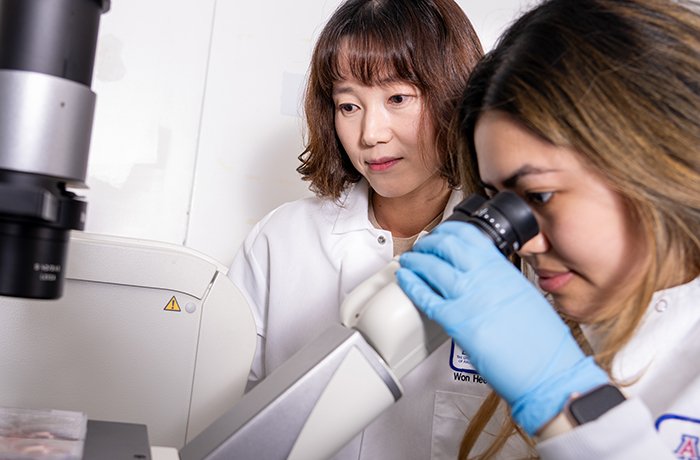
point(353, 213)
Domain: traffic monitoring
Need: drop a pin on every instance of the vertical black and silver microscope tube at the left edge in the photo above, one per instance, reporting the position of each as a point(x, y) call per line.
point(47, 53)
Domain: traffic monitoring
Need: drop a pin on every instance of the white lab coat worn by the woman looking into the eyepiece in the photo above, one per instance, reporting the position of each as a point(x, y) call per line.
point(661, 419)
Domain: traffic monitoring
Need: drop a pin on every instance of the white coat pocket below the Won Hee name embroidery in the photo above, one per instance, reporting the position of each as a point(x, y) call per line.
point(451, 416)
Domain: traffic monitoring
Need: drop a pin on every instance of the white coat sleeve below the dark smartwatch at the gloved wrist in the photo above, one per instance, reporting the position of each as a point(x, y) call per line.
point(626, 431)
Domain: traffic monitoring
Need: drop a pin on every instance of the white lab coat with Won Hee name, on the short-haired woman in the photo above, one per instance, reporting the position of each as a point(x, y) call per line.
point(295, 269)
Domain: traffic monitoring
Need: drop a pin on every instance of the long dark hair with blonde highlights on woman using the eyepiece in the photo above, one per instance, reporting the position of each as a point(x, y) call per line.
point(617, 81)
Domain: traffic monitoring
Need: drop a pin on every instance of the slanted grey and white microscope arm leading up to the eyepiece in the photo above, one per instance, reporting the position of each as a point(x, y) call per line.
point(323, 396)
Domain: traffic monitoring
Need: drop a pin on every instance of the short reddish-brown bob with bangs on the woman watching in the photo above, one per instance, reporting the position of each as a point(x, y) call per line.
point(428, 43)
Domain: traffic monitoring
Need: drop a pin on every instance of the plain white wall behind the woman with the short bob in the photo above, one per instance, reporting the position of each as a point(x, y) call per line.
point(197, 127)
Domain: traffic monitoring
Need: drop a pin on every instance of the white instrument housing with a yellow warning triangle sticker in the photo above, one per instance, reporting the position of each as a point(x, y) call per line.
point(145, 332)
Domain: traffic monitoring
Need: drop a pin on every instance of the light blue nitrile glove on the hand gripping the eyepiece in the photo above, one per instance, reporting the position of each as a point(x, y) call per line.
point(512, 335)
